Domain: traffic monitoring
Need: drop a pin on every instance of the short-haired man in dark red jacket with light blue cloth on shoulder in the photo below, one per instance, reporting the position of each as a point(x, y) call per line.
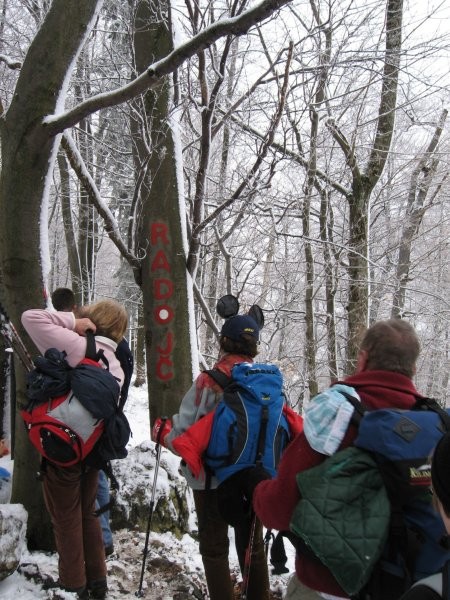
point(386, 364)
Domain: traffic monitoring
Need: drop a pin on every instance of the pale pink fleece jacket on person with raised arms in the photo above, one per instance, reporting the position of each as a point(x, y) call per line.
point(56, 330)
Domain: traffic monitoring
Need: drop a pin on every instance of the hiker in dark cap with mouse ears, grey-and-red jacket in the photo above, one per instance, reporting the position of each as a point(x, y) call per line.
point(238, 344)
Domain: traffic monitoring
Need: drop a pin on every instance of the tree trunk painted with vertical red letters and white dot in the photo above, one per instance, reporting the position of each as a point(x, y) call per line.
point(164, 275)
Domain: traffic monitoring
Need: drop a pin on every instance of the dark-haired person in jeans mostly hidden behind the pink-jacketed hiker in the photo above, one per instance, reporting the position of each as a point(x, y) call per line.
point(63, 299)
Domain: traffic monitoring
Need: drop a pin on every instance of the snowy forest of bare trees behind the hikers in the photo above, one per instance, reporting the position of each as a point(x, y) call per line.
point(293, 153)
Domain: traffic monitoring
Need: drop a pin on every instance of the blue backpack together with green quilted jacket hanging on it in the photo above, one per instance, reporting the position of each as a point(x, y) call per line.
point(412, 542)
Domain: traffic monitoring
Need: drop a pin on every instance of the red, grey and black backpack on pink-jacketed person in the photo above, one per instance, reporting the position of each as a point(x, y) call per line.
point(61, 427)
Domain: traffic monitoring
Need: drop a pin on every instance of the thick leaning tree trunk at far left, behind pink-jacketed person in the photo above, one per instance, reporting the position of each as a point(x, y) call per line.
point(27, 151)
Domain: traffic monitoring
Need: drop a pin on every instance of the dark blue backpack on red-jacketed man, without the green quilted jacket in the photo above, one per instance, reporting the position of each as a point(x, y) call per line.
point(402, 442)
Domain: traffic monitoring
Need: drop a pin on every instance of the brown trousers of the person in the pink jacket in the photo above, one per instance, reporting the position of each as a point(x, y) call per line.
point(69, 495)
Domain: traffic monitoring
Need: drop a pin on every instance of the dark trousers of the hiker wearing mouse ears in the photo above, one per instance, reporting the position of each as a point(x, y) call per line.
point(214, 547)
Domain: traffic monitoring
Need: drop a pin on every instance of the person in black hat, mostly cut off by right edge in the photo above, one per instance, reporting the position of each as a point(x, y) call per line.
point(436, 587)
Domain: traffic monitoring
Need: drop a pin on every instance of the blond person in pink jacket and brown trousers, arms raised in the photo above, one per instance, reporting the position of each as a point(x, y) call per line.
point(70, 492)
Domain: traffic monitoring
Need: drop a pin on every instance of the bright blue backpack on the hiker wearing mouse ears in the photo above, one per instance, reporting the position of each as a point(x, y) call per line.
point(249, 425)
